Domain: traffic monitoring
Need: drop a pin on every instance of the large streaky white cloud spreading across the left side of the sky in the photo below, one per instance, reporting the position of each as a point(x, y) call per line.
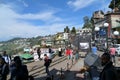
point(10, 26)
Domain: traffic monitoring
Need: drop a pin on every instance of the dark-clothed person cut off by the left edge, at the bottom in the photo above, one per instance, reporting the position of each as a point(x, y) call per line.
point(4, 69)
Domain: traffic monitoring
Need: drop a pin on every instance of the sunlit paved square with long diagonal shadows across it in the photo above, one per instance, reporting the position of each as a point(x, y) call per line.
point(69, 69)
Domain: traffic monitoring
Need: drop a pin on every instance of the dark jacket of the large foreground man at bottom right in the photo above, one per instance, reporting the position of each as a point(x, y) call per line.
point(109, 72)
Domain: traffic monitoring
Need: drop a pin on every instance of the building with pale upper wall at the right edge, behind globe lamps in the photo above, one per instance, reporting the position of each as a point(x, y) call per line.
point(114, 25)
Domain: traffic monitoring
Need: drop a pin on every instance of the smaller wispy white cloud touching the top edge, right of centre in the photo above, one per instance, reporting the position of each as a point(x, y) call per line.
point(79, 4)
